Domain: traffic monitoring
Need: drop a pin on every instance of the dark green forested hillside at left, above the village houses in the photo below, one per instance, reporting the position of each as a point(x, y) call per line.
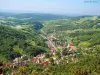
point(14, 43)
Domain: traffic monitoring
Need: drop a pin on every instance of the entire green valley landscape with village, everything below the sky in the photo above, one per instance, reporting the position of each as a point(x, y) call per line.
point(41, 44)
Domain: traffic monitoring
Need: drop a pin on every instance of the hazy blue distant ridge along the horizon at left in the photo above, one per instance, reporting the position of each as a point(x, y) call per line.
point(33, 16)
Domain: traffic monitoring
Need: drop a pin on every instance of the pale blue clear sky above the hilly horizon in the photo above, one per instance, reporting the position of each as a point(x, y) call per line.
point(91, 7)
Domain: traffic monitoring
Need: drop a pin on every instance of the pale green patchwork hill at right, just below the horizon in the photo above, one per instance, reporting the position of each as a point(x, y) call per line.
point(72, 23)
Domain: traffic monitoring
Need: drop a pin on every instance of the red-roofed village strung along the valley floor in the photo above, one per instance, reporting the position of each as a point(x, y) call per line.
point(42, 59)
